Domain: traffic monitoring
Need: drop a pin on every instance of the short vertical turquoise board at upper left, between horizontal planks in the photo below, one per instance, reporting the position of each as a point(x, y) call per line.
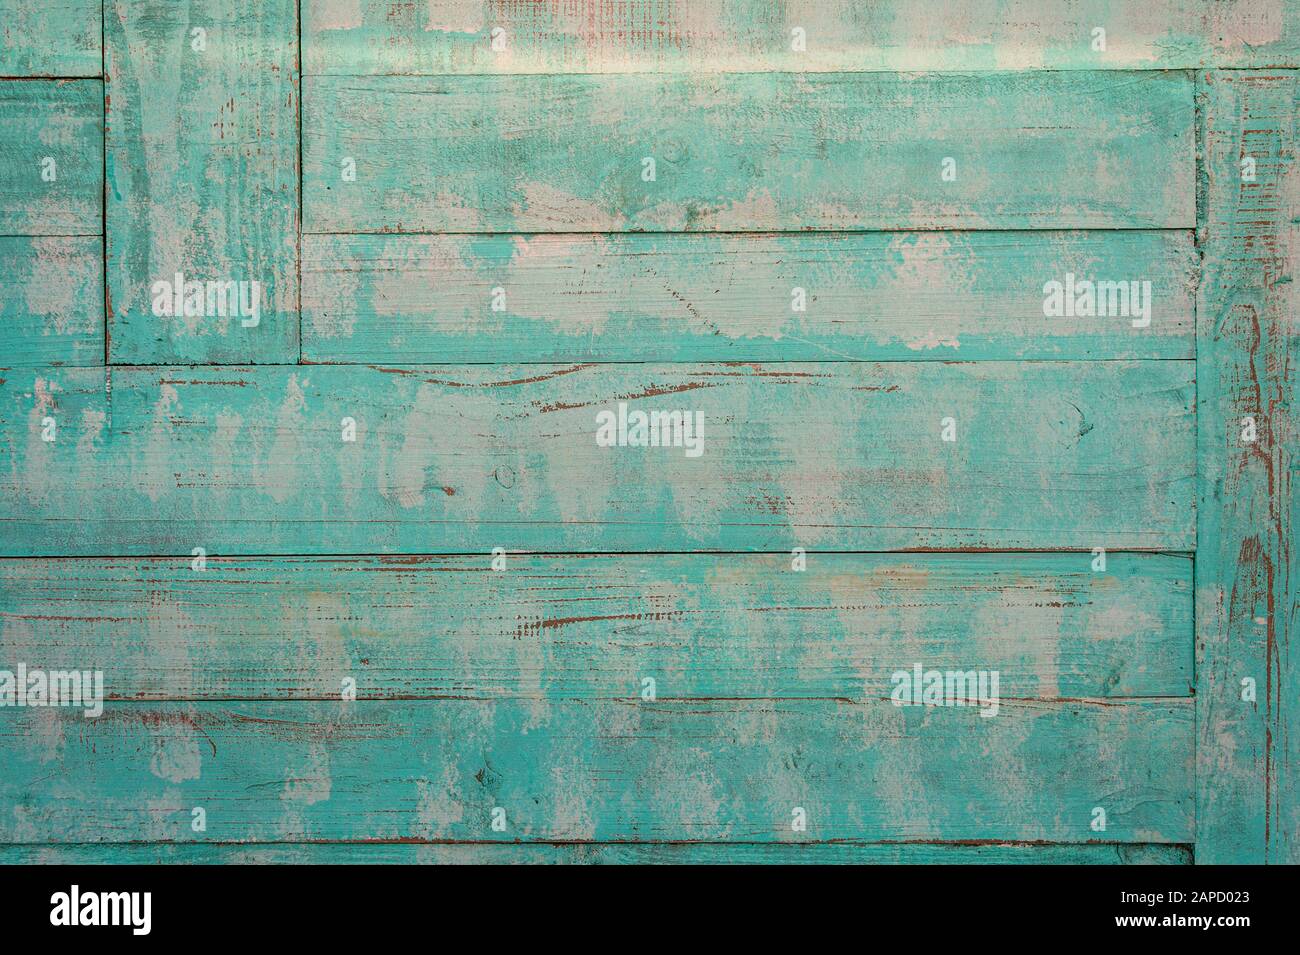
point(202, 181)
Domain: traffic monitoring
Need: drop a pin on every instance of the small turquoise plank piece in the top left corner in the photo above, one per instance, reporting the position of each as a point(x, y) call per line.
point(51, 40)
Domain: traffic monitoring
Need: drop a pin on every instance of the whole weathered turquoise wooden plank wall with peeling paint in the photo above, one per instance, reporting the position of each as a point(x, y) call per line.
point(278, 533)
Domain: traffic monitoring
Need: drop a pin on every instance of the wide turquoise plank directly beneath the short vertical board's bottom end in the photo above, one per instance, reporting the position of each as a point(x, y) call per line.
point(829, 457)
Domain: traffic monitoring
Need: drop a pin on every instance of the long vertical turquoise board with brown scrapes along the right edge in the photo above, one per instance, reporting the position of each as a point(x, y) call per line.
point(1247, 581)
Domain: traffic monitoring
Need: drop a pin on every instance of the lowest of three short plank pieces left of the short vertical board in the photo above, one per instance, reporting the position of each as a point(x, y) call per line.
point(51, 301)
